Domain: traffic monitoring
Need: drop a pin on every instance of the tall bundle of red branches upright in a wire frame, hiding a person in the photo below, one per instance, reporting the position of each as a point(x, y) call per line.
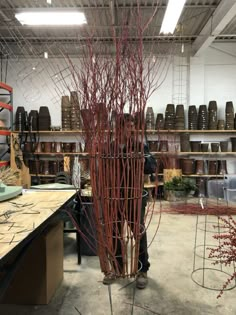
point(109, 86)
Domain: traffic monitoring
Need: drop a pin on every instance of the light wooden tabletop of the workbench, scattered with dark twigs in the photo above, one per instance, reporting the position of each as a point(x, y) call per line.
point(21, 216)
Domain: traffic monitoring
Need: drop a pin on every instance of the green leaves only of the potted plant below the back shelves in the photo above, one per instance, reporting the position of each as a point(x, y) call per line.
point(180, 184)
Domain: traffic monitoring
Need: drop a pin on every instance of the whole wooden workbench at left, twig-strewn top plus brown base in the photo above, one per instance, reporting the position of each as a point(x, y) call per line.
point(31, 246)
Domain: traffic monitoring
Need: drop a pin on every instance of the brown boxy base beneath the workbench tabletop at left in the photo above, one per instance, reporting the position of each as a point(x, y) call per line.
point(40, 272)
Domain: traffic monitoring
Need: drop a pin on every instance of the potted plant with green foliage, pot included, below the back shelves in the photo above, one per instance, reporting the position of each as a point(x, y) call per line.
point(178, 188)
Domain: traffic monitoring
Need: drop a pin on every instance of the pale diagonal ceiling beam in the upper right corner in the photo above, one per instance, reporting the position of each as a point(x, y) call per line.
point(223, 14)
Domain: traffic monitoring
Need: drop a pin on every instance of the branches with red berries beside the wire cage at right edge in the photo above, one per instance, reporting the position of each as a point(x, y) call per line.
point(225, 253)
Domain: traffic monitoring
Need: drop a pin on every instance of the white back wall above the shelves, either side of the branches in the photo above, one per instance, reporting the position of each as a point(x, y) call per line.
point(211, 76)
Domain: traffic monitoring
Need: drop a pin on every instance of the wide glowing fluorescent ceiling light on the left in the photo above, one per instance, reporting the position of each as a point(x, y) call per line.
point(51, 17)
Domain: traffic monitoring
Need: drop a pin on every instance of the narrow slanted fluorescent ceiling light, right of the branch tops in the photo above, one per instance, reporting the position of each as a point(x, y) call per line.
point(171, 17)
